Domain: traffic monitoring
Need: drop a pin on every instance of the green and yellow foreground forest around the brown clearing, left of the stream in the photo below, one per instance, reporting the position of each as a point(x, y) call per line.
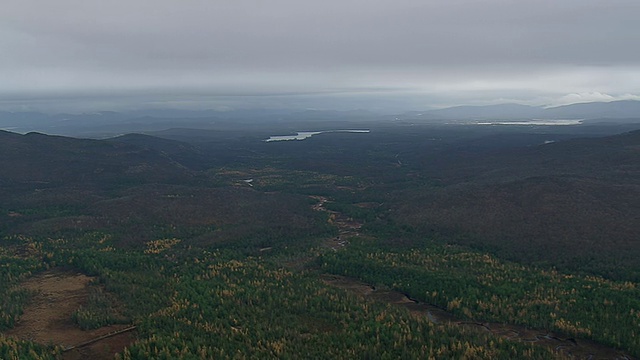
point(224, 304)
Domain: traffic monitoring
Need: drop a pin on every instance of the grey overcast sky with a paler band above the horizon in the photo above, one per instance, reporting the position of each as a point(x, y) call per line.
point(80, 55)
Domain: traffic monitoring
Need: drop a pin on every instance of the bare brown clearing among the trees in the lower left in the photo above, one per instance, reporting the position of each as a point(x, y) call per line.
point(47, 319)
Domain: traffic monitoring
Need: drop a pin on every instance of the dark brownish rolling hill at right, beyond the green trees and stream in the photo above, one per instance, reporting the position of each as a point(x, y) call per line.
point(572, 204)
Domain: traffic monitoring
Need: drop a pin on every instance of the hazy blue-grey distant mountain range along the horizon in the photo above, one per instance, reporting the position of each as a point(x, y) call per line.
point(109, 123)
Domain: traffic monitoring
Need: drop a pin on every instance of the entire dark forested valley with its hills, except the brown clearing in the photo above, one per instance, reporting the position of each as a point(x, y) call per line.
point(224, 255)
